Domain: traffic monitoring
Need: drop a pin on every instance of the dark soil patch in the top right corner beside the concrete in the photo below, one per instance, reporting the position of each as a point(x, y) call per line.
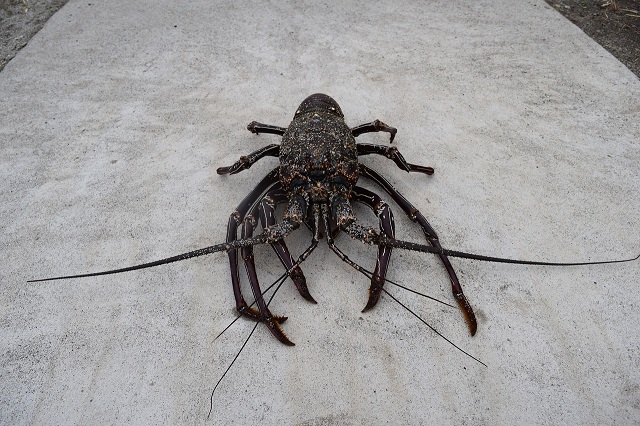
point(615, 25)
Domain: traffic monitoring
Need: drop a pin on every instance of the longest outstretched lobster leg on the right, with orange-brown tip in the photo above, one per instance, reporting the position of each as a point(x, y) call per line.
point(431, 236)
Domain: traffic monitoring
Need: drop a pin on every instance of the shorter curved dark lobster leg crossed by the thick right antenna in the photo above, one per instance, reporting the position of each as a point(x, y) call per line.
point(385, 218)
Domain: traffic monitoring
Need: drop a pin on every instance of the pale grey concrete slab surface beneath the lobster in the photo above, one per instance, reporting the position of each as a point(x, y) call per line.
point(116, 115)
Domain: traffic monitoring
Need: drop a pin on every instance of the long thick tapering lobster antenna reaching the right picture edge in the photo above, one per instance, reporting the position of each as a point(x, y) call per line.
point(383, 240)
